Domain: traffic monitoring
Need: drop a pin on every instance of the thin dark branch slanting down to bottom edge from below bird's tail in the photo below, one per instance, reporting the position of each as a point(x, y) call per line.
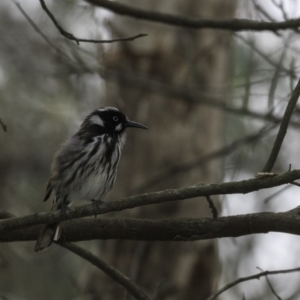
point(110, 271)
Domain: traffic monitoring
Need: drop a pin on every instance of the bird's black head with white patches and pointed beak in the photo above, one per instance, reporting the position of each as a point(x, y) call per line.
point(108, 120)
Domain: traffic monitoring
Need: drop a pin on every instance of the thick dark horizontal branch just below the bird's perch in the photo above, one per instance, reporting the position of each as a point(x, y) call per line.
point(173, 229)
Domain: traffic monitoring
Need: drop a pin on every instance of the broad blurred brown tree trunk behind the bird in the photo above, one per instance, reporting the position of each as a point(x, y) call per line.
point(180, 131)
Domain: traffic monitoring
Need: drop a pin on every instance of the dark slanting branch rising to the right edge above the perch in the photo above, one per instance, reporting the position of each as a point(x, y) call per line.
point(282, 129)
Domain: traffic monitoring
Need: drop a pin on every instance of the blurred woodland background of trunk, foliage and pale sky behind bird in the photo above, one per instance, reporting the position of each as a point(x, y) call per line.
point(212, 100)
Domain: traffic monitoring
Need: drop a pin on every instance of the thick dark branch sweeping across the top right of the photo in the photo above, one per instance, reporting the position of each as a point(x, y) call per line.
point(192, 22)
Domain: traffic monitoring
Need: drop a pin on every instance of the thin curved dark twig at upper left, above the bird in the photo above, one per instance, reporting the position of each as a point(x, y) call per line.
point(70, 36)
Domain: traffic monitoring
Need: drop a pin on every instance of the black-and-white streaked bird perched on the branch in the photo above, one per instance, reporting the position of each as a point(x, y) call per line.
point(85, 166)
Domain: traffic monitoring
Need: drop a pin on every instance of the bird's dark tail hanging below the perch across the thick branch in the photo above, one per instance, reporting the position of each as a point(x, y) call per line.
point(48, 234)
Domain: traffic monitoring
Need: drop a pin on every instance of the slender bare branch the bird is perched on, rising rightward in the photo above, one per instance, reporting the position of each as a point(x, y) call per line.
point(201, 190)
